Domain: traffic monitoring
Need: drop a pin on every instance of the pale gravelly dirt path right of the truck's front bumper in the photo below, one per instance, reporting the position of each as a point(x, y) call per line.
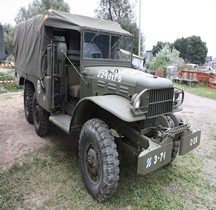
point(201, 113)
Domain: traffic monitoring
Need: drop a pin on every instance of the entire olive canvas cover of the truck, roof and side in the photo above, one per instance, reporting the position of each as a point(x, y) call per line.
point(31, 37)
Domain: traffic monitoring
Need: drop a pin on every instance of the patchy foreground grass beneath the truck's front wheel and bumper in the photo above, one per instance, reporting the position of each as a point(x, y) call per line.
point(51, 179)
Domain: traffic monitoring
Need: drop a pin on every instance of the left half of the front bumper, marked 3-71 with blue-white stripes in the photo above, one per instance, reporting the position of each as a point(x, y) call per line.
point(154, 158)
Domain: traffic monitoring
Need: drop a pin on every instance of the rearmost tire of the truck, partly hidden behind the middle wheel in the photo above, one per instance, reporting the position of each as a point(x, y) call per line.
point(28, 100)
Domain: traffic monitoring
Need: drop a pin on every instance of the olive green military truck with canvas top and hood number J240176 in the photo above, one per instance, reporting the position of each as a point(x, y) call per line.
point(75, 76)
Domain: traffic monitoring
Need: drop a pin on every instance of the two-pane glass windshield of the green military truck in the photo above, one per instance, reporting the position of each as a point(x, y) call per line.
point(102, 46)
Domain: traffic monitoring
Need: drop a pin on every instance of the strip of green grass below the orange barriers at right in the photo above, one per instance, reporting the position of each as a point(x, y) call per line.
point(200, 90)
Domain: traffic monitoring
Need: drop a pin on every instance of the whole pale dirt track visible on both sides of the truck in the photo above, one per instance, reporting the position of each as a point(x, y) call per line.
point(17, 137)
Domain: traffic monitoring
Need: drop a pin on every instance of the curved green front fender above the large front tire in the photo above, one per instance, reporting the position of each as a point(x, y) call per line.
point(114, 104)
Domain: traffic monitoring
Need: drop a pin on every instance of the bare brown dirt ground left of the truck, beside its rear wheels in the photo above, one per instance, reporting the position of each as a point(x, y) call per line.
point(17, 136)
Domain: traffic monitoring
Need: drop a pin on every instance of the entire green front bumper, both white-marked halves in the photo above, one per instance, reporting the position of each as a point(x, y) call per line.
point(157, 155)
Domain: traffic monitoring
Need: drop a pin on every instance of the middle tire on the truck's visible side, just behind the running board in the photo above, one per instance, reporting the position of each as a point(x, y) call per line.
point(40, 118)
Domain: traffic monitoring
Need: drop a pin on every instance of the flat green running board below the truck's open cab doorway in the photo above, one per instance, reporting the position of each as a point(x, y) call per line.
point(62, 121)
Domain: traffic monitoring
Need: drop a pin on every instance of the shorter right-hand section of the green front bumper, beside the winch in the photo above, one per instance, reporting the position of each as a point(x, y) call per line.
point(189, 141)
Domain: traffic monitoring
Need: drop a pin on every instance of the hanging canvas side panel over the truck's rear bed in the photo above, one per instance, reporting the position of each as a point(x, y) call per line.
point(28, 46)
